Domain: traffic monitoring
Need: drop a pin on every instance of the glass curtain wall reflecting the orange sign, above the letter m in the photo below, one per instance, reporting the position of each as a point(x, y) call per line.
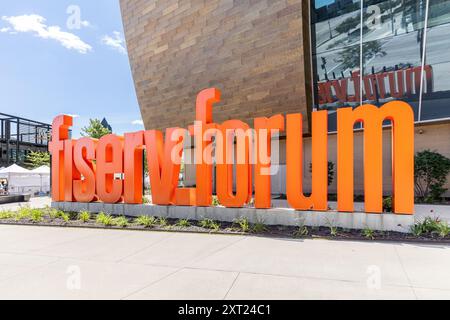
point(375, 51)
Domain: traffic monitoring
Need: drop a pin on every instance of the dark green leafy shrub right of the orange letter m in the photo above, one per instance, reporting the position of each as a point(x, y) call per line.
point(430, 175)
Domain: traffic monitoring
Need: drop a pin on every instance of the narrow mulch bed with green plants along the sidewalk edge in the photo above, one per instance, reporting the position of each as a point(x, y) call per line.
point(231, 229)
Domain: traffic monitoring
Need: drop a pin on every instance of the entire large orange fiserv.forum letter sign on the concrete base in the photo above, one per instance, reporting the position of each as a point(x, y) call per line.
point(86, 170)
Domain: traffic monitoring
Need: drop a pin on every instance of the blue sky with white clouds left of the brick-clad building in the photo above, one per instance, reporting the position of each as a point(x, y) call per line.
point(51, 62)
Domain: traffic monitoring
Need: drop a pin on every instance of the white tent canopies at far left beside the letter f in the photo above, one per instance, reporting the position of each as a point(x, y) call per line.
point(21, 180)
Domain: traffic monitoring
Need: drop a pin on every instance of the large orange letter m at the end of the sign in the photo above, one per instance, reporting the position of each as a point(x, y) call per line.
point(402, 117)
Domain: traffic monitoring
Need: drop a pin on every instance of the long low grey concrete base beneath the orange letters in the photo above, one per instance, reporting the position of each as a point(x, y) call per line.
point(275, 216)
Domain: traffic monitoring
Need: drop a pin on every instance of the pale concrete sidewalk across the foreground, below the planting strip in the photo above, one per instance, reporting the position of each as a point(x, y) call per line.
point(63, 263)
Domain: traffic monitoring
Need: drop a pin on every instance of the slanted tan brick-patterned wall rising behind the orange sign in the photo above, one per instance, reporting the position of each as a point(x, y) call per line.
point(250, 49)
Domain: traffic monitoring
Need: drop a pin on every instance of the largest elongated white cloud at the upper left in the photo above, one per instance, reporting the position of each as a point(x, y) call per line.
point(35, 24)
